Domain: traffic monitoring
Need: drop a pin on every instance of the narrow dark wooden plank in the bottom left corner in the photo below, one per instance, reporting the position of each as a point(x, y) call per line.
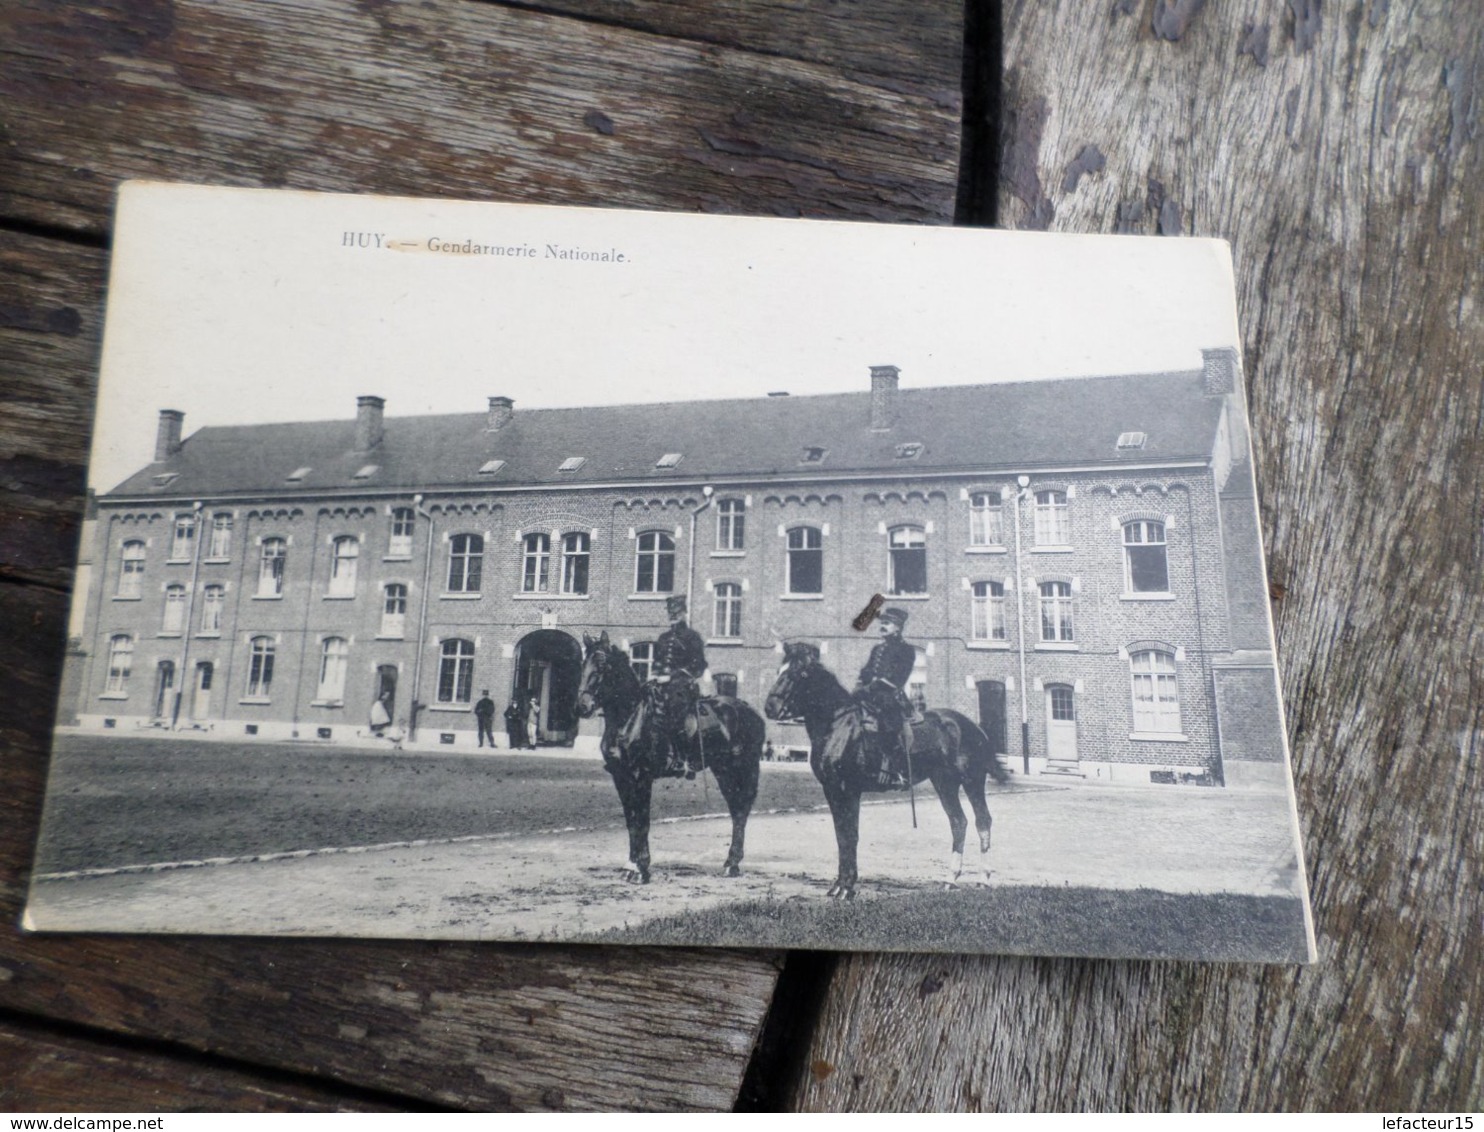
point(50, 1073)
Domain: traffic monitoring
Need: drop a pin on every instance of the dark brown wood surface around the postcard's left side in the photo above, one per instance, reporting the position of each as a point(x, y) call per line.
point(749, 109)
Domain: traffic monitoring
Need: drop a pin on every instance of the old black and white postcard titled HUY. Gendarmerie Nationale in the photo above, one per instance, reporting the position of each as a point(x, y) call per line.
point(480, 572)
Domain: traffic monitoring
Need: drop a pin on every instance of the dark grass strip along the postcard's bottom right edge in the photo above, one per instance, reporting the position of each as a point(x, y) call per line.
point(1034, 921)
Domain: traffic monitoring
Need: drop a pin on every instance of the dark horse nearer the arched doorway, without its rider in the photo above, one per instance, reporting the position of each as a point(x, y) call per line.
point(611, 683)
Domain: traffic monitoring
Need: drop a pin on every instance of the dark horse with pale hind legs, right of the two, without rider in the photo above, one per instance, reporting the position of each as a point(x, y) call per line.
point(949, 750)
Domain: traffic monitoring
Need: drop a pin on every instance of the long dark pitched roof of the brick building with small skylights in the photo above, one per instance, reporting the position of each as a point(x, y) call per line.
point(1011, 427)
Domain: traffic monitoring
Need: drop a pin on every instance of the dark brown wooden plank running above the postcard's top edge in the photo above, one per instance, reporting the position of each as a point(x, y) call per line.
point(461, 100)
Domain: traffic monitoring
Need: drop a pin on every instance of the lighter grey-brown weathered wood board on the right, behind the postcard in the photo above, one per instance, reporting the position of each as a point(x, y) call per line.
point(1339, 151)
